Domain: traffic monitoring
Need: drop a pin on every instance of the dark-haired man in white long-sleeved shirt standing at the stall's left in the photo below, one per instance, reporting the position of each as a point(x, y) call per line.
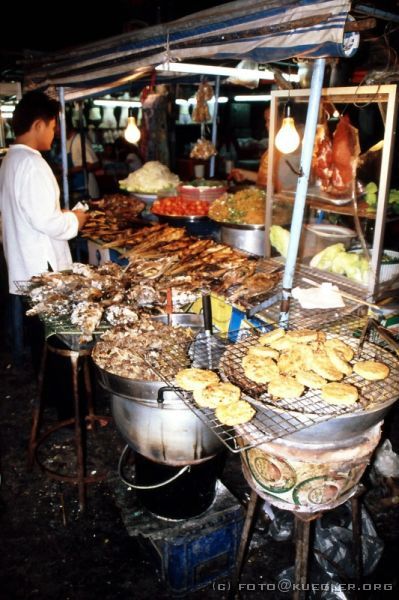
point(35, 230)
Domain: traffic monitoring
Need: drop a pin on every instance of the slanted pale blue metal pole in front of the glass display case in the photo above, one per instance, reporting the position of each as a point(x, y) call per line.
point(302, 185)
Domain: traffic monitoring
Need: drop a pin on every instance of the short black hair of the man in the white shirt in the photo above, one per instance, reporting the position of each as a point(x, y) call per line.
point(33, 106)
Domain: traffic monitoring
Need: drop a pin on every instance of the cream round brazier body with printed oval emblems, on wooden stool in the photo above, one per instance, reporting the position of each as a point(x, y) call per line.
point(302, 478)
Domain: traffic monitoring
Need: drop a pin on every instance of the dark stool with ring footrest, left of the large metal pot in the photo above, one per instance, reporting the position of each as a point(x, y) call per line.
point(79, 478)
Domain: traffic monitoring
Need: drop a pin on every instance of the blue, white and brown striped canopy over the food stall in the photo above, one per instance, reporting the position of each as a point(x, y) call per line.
point(263, 30)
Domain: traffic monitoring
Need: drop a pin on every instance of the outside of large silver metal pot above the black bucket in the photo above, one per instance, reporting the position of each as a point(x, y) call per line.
point(155, 422)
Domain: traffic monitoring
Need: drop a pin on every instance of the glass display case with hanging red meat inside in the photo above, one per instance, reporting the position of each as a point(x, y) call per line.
point(372, 110)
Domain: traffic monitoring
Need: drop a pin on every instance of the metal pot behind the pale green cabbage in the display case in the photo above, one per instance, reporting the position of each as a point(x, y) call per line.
point(317, 236)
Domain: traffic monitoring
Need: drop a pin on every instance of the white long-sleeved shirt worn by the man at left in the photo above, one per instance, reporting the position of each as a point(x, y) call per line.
point(35, 230)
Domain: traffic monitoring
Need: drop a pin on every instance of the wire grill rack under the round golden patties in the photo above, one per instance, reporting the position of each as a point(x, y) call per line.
point(276, 419)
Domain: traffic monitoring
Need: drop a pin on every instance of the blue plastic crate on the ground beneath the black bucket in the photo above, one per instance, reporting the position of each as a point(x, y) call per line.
point(204, 551)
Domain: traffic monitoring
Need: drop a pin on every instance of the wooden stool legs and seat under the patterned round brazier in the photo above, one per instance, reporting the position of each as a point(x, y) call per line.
point(302, 538)
